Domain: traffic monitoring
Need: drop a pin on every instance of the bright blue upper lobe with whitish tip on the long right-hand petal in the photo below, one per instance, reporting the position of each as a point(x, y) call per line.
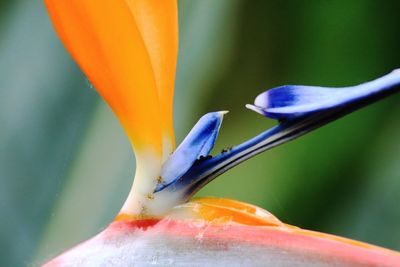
point(294, 101)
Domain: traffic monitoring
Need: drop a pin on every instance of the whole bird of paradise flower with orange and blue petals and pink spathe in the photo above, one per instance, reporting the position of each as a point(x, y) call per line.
point(128, 50)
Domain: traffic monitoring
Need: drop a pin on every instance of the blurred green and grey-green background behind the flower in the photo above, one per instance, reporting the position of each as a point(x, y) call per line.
point(66, 165)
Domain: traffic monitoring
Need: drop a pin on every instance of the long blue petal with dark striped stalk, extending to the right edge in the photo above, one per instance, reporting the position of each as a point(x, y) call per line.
point(300, 109)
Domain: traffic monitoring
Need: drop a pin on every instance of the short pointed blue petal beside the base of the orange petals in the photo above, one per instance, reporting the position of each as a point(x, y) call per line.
point(198, 143)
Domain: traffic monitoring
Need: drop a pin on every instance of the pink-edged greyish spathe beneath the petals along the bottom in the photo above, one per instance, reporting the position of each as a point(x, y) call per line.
point(196, 241)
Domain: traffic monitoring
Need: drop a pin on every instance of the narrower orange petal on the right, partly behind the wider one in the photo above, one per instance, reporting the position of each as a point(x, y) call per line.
point(158, 24)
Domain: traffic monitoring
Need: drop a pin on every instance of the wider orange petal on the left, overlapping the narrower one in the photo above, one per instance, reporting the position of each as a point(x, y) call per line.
point(105, 40)
